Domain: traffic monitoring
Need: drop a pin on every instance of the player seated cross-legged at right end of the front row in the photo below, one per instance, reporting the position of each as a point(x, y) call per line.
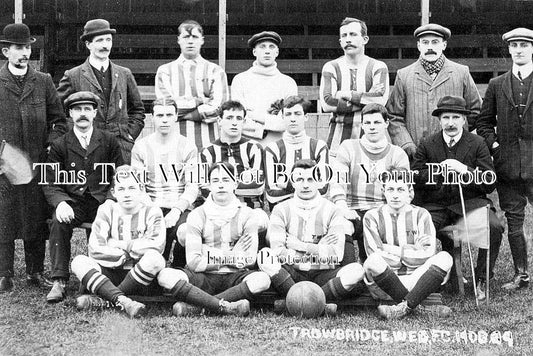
point(402, 262)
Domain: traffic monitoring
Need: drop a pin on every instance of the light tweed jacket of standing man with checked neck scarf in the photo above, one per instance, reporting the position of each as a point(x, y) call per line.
point(415, 95)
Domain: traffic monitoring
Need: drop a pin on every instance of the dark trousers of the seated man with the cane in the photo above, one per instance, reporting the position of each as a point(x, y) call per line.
point(444, 217)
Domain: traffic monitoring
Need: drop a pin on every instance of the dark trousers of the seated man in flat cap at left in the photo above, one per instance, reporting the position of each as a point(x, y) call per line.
point(85, 209)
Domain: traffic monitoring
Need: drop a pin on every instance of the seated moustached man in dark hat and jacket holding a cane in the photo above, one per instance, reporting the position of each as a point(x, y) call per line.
point(460, 153)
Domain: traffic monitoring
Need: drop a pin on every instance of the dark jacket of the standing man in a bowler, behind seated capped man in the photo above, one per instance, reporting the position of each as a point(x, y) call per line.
point(124, 115)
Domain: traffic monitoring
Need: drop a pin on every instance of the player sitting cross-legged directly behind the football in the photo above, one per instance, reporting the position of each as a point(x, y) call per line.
point(306, 236)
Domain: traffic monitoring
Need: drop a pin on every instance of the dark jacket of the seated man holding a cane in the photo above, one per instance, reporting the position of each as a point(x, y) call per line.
point(471, 151)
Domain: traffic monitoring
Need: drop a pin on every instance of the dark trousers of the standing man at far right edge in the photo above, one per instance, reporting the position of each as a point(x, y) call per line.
point(513, 200)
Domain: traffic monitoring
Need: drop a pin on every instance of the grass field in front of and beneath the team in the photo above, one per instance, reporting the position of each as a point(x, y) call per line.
point(29, 326)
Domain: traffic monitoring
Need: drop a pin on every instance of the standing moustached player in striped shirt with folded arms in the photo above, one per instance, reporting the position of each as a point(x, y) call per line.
point(350, 82)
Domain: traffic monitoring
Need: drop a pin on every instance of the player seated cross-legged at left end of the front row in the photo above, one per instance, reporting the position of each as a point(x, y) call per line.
point(125, 246)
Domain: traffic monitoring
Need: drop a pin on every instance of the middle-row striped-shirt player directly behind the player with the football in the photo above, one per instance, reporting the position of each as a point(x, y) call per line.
point(294, 145)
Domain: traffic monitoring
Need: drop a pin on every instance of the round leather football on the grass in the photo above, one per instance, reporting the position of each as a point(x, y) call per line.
point(306, 300)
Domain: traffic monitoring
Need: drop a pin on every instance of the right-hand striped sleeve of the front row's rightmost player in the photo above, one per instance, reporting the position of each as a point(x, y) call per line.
point(425, 241)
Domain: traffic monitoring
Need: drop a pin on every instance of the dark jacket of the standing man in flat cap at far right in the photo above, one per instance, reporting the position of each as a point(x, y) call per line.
point(513, 159)
